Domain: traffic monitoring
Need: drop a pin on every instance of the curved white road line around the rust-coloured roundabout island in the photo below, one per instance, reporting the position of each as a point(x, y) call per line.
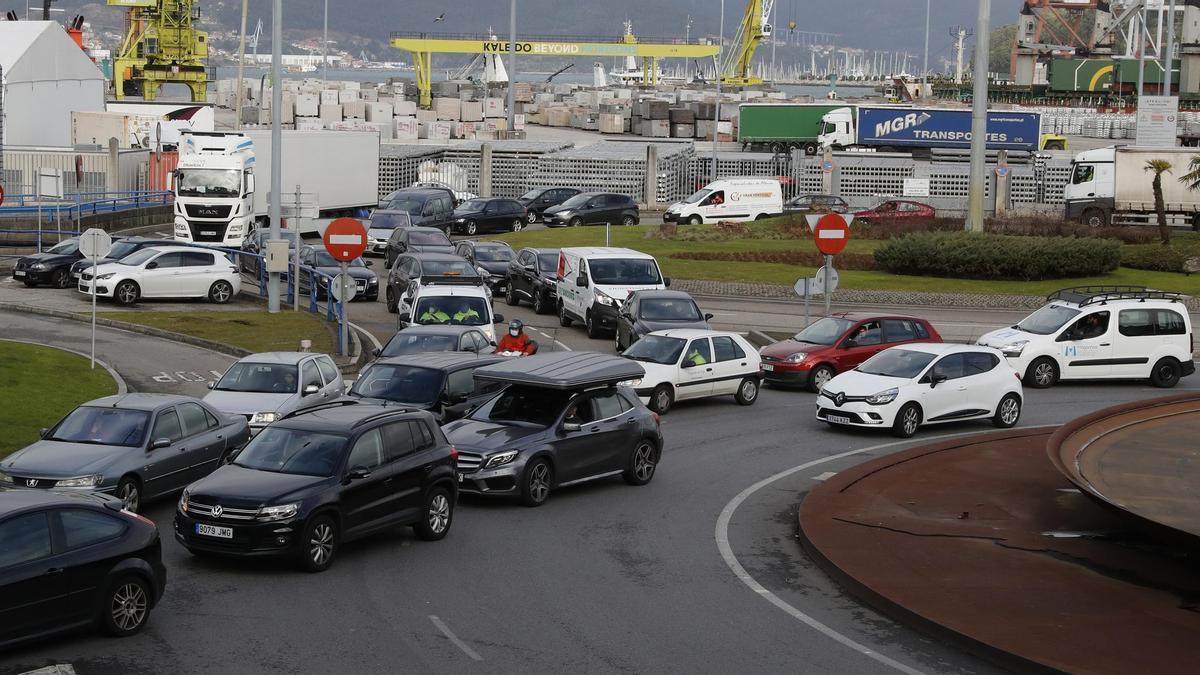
point(731, 560)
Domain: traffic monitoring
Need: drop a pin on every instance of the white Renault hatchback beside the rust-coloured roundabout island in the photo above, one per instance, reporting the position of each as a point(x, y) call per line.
point(925, 384)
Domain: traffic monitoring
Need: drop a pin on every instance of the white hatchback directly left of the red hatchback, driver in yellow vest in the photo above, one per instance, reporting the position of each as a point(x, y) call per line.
point(686, 363)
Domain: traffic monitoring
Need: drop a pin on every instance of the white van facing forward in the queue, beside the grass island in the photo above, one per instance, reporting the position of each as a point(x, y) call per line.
point(593, 283)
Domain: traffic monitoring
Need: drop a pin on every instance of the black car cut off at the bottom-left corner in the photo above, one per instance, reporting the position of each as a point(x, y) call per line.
point(74, 560)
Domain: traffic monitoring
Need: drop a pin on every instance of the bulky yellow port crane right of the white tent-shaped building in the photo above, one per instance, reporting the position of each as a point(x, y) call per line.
point(160, 47)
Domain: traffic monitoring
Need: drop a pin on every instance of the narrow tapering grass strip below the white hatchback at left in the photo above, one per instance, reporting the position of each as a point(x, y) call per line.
point(254, 331)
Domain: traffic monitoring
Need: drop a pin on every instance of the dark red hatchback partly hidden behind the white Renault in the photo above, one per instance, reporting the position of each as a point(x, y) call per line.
point(837, 344)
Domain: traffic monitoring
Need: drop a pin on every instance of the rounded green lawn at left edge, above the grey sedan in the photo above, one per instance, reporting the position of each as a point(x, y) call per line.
point(39, 386)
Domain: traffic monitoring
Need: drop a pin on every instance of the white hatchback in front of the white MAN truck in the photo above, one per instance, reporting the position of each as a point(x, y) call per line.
point(165, 272)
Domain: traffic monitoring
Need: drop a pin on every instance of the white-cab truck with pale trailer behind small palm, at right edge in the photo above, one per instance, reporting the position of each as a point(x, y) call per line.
point(1112, 187)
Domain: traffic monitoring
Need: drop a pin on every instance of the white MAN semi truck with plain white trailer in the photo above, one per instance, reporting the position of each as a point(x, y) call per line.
point(223, 181)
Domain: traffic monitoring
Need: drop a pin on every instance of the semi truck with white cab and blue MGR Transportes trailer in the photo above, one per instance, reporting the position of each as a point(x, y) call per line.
point(889, 129)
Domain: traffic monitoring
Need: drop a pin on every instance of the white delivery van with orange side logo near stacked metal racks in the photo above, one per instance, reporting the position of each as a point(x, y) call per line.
point(730, 199)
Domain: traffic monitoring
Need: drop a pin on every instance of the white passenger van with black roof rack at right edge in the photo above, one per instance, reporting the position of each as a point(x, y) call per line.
point(1101, 333)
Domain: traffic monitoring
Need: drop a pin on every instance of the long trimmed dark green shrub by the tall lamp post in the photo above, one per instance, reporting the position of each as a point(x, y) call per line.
point(963, 255)
